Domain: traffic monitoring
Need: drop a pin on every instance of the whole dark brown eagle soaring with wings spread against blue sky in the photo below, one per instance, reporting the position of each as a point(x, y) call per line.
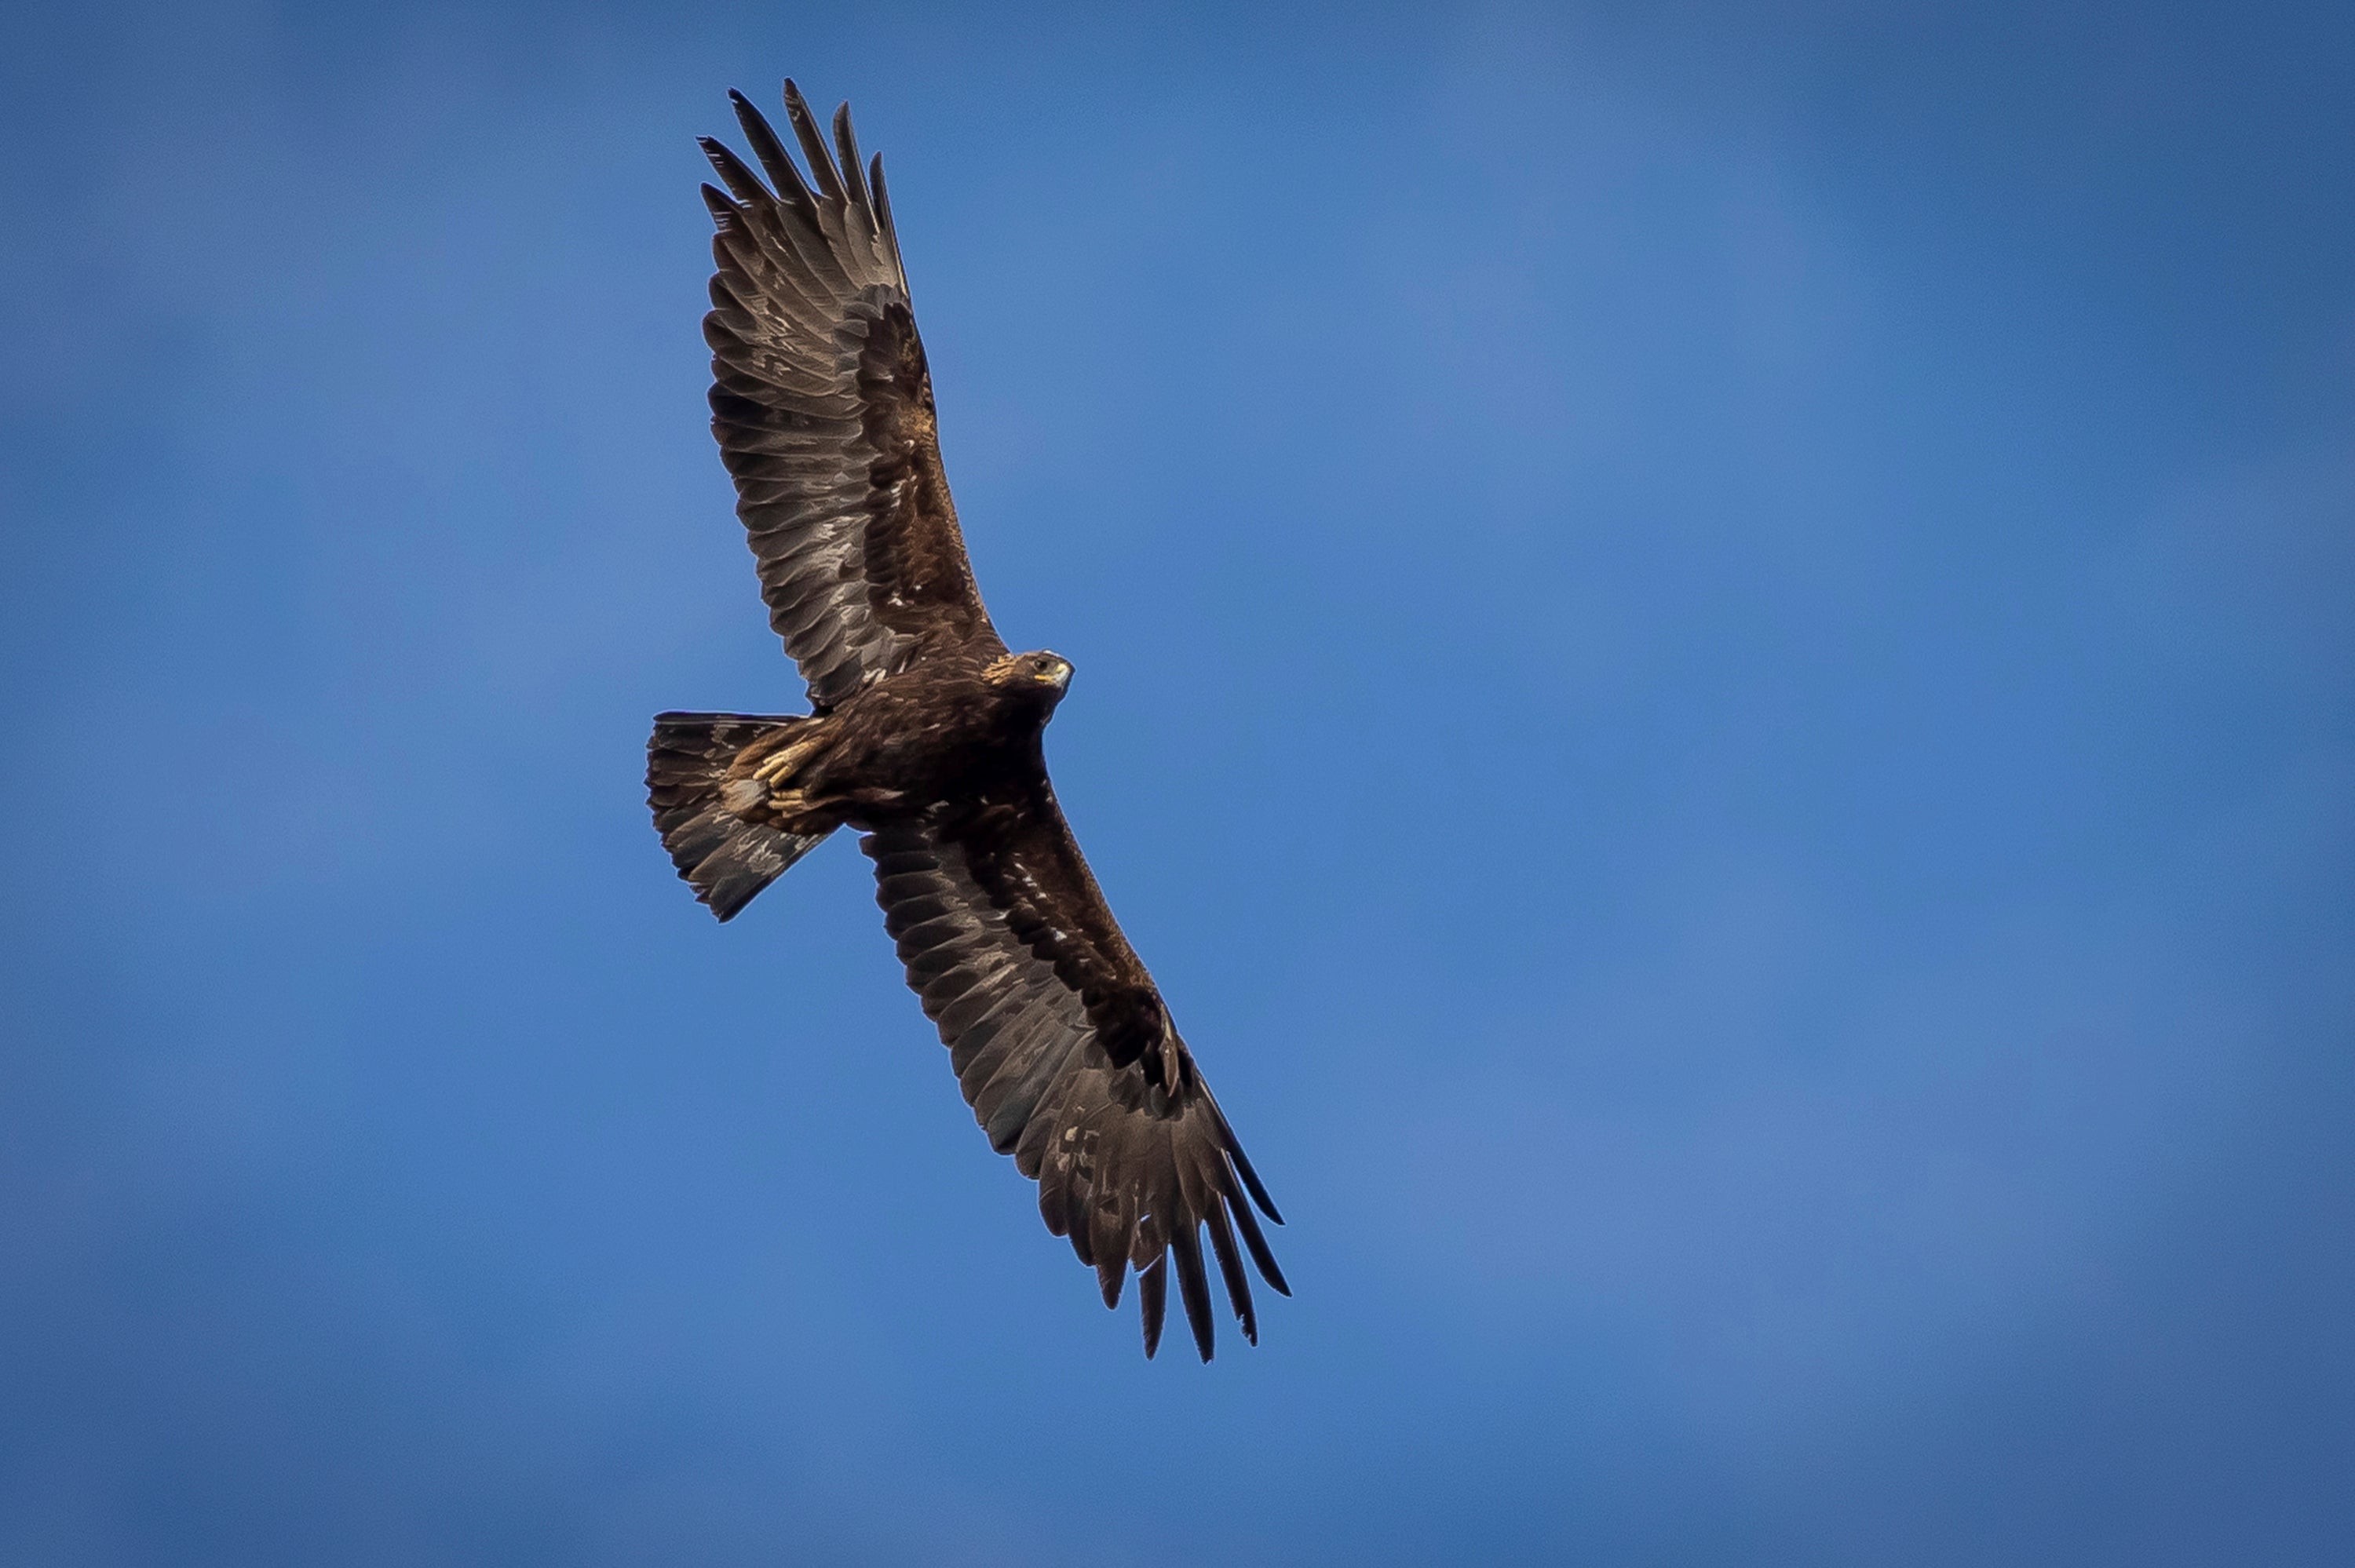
point(927, 738)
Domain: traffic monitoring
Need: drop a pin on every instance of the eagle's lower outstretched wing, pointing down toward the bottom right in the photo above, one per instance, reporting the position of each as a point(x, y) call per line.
point(1068, 1056)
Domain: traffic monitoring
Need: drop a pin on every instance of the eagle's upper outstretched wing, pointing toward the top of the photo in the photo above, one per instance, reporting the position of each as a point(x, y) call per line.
point(823, 408)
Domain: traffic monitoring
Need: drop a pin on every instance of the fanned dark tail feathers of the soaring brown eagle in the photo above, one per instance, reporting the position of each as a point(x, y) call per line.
point(722, 856)
